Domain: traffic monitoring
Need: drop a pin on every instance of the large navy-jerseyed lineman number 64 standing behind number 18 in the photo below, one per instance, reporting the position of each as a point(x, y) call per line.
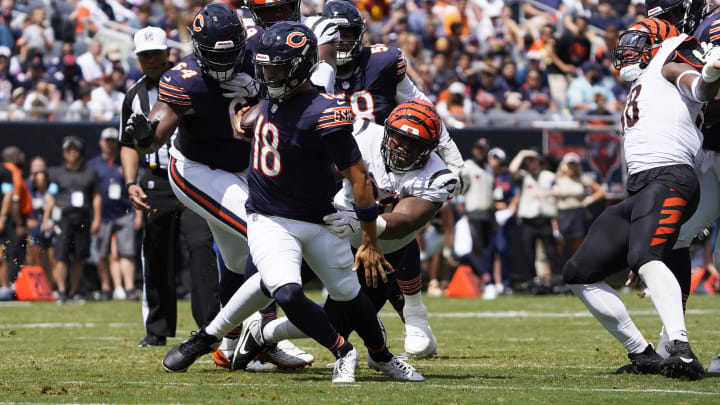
point(200, 96)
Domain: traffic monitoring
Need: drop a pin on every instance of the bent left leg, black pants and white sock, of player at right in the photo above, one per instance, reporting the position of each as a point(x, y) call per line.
point(602, 253)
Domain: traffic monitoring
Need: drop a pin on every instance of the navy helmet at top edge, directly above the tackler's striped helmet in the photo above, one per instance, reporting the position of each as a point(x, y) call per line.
point(351, 26)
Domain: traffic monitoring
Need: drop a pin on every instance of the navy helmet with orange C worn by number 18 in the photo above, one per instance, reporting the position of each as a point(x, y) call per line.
point(286, 57)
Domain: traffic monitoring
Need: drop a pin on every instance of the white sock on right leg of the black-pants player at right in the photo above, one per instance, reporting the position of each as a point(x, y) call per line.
point(666, 296)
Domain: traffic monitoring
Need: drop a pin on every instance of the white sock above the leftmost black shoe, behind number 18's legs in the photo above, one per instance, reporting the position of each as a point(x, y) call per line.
point(246, 300)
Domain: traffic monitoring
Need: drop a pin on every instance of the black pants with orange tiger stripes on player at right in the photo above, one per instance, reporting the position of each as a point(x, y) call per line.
point(640, 229)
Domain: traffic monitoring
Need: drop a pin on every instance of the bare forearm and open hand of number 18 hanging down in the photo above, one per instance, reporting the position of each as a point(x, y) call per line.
point(368, 253)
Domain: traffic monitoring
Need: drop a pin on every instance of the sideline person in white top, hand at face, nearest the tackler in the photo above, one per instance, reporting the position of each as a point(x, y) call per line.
point(536, 208)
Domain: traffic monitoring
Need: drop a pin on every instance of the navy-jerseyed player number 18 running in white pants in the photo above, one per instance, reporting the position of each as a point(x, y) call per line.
point(300, 136)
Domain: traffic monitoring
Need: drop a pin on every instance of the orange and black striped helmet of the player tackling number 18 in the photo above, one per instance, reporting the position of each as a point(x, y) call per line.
point(412, 132)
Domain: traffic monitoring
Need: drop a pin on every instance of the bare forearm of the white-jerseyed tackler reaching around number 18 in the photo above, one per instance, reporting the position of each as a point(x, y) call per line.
point(409, 215)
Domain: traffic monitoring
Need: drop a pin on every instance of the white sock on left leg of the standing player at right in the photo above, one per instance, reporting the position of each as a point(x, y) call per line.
point(607, 307)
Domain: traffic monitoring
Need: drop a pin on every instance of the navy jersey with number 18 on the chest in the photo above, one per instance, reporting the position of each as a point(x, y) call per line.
point(291, 174)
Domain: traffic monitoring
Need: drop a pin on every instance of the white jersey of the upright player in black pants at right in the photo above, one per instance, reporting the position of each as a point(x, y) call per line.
point(659, 122)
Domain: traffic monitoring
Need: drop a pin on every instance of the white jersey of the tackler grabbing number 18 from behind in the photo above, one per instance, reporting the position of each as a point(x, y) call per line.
point(434, 182)
